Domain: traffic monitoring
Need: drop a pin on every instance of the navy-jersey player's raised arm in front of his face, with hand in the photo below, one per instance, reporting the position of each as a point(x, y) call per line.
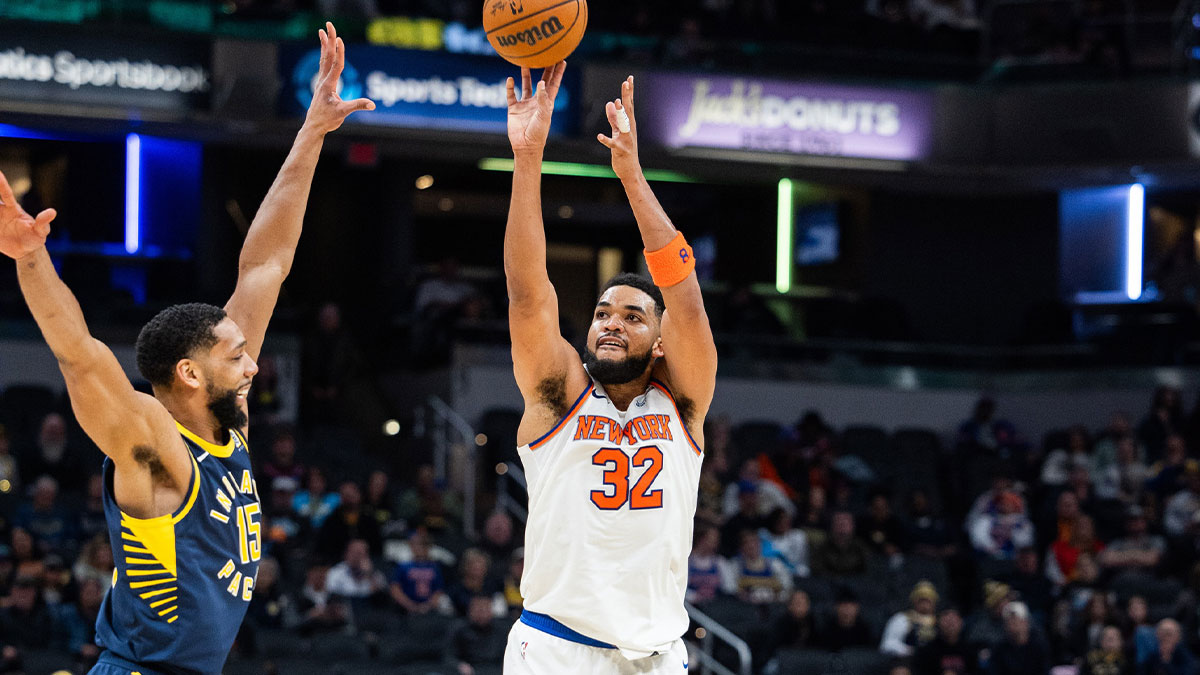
point(272, 242)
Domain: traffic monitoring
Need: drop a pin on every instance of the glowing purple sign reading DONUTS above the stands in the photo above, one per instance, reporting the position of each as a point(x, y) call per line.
point(767, 116)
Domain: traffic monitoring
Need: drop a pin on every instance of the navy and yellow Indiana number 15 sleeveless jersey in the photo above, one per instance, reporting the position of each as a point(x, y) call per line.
point(183, 582)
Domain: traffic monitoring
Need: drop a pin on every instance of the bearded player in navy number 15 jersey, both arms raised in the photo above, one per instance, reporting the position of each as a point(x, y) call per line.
point(182, 505)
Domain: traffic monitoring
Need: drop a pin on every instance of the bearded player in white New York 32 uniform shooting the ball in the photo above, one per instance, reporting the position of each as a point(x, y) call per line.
point(611, 444)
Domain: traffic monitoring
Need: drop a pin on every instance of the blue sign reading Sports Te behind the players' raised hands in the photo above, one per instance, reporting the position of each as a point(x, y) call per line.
point(418, 89)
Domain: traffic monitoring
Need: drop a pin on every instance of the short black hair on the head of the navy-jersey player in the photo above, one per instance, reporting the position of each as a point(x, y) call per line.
point(176, 334)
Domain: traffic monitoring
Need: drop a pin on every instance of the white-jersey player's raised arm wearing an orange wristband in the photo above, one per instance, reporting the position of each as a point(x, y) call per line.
point(687, 337)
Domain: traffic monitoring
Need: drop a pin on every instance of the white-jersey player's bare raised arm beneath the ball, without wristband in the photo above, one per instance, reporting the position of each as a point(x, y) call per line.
point(539, 353)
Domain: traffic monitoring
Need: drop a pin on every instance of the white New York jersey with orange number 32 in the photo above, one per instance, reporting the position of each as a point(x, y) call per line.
point(613, 497)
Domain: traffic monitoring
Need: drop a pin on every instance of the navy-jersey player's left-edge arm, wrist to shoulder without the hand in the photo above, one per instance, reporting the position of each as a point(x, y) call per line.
point(116, 416)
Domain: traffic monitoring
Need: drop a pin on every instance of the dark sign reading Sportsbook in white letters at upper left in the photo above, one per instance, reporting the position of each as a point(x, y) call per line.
point(59, 68)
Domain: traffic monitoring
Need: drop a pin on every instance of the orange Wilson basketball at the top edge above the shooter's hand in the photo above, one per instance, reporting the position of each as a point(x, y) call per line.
point(536, 34)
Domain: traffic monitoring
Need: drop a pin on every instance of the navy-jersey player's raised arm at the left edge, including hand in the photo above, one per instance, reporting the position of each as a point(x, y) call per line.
point(116, 416)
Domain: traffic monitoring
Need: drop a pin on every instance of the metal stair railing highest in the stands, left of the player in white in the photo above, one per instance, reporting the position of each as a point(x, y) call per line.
point(454, 450)
